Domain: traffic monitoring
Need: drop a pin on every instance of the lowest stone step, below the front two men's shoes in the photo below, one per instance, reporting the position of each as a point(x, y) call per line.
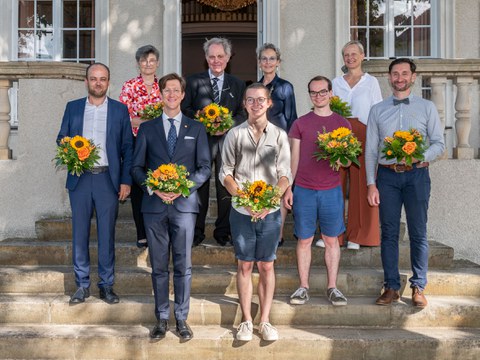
point(218, 343)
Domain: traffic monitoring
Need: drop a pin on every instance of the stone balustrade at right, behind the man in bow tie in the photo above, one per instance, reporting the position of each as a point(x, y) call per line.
point(463, 74)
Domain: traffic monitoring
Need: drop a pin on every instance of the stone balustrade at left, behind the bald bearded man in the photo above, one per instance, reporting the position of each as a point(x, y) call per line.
point(14, 71)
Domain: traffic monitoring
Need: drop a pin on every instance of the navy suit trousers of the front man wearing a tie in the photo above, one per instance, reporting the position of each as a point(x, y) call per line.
point(170, 230)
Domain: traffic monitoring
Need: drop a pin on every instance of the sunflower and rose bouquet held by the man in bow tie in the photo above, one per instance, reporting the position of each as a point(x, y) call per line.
point(404, 146)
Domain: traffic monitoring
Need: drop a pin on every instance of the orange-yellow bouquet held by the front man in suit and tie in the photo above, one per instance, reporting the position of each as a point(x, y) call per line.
point(170, 178)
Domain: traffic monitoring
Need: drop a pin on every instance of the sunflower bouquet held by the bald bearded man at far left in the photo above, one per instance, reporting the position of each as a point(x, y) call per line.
point(77, 154)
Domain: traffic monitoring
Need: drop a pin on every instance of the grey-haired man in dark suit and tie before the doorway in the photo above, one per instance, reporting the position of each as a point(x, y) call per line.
point(215, 85)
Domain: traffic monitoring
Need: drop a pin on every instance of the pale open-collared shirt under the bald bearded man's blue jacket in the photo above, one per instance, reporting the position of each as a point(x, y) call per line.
point(95, 128)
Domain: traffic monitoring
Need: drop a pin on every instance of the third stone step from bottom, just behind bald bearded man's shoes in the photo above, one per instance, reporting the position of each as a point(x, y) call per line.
point(459, 280)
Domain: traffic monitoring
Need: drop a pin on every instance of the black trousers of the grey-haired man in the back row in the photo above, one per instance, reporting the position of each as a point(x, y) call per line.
point(224, 199)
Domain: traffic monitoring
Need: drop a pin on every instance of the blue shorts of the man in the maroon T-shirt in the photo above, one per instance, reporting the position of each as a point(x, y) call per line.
point(322, 206)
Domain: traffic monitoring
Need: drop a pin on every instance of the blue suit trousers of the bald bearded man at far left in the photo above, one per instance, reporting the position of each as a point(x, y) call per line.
point(94, 192)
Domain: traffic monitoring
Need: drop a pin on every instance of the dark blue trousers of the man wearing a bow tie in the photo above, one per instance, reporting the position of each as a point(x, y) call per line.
point(412, 190)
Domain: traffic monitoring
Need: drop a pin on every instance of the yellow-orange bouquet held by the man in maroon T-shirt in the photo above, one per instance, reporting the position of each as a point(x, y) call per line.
point(338, 146)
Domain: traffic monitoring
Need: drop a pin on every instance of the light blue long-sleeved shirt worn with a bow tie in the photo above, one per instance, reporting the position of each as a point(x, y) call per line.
point(385, 118)
